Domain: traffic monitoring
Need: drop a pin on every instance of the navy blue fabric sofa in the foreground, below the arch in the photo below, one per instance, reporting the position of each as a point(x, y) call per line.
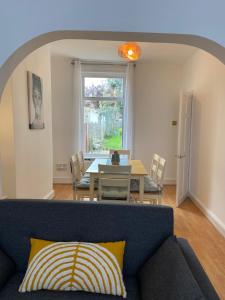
point(143, 227)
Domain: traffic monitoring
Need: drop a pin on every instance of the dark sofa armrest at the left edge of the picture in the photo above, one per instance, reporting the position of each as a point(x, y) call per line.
point(7, 268)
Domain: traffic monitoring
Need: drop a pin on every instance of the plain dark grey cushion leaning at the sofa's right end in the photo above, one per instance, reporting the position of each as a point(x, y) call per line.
point(167, 276)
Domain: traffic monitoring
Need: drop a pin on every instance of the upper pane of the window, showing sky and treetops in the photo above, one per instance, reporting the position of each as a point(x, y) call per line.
point(103, 87)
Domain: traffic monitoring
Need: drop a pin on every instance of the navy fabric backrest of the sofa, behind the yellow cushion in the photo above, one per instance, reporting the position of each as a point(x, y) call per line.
point(143, 227)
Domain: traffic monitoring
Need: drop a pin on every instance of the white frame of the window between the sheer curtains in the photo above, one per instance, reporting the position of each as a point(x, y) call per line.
point(121, 99)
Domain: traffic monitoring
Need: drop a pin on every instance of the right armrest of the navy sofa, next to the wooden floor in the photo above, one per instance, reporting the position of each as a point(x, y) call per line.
point(197, 270)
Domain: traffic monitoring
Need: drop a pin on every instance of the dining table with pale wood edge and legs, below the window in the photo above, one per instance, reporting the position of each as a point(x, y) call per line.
point(138, 171)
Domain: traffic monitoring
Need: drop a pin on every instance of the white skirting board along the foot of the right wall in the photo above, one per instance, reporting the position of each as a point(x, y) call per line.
point(219, 225)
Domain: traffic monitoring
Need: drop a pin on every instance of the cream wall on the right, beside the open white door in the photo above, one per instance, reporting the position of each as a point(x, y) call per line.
point(205, 75)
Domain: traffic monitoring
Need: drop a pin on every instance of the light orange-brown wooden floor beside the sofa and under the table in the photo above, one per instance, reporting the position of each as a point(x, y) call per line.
point(190, 223)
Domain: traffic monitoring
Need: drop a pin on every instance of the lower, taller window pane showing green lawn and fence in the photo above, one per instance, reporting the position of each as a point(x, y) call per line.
point(103, 125)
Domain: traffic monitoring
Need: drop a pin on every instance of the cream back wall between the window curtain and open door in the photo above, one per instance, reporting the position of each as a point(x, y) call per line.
point(157, 86)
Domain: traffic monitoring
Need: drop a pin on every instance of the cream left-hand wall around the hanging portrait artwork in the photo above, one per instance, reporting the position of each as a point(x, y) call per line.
point(32, 149)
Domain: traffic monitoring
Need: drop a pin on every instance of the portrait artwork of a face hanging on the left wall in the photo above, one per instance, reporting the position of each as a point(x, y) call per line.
point(35, 101)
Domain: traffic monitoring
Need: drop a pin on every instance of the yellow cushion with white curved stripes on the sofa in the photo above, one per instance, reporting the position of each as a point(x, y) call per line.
point(75, 266)
